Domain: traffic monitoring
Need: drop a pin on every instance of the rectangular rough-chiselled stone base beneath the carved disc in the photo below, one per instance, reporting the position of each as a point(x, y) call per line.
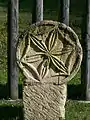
point(44, 101)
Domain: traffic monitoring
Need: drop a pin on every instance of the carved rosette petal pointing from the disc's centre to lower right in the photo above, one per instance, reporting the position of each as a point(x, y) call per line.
point(59, 64)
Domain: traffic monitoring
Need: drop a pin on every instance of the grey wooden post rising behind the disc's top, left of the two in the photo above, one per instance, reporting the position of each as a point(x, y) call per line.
point(37, 13)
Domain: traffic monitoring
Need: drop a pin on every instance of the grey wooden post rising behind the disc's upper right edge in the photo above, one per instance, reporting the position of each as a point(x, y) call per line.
point(64, 11)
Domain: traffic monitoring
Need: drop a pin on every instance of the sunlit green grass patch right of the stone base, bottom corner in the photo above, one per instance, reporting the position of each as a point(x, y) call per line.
point(77, 111)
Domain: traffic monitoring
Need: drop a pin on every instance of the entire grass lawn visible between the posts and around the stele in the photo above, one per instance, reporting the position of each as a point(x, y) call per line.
point(10, 111)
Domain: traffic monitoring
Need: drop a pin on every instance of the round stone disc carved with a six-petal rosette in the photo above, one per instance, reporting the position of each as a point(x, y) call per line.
point(49, 52)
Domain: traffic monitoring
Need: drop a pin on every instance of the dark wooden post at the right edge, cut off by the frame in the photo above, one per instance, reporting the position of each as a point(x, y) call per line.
point(85, 69)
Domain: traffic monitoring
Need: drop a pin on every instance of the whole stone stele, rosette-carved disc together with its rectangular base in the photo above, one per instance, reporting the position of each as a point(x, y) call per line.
point(49, 54)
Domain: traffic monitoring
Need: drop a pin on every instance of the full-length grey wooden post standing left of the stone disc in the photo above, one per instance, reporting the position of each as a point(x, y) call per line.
point(12, 41)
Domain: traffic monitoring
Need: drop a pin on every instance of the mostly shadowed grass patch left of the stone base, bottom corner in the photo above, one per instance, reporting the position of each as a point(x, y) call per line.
point(11, 110)
